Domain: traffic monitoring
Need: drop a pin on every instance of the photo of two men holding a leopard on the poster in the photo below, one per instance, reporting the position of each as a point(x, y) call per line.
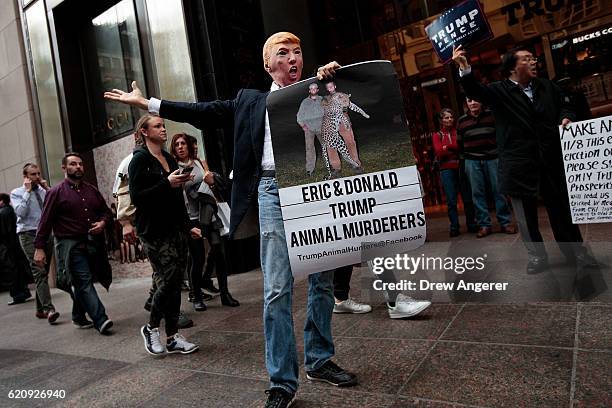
point(350, 125)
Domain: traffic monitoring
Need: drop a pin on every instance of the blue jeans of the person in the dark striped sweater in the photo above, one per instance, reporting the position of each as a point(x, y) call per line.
point(481, 173)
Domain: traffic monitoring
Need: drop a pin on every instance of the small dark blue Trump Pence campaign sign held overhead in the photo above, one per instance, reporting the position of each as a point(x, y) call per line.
point(465, 24)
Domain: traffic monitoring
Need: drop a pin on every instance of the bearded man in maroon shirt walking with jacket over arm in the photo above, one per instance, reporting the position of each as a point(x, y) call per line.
point(77, 214)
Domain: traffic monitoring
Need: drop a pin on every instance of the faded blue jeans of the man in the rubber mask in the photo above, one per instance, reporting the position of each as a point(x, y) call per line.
point(281, 354)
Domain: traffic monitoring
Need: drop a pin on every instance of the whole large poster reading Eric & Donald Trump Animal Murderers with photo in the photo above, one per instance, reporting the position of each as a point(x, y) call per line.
point(345, 168)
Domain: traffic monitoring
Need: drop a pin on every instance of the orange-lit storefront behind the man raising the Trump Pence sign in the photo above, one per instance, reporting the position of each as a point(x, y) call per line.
point(570, 38)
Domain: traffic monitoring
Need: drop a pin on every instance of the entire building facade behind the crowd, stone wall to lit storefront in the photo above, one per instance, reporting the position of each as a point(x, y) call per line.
point(61, 55)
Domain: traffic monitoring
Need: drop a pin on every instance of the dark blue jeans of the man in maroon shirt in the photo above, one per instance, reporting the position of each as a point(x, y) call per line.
point(85, 297)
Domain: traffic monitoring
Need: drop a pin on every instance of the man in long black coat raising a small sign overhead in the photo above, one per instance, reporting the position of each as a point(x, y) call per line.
point(528, 111)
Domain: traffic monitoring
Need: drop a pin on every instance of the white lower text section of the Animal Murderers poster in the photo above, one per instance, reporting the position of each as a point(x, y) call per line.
point(328, 223)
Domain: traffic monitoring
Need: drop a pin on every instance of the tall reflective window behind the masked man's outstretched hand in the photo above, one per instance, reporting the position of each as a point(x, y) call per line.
point(112, 48)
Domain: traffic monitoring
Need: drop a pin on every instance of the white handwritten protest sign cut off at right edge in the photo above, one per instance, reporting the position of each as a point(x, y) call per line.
point(587, 157)
